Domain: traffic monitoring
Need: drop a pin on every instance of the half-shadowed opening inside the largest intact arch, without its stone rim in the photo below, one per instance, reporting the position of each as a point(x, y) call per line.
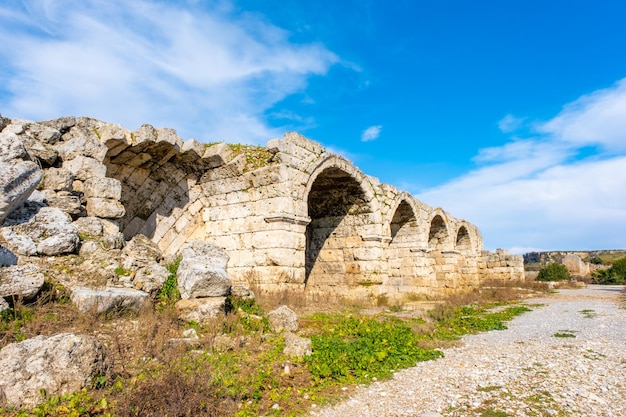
point(337, 207)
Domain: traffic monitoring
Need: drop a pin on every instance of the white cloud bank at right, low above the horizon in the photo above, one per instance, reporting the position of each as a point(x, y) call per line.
point(535, 192)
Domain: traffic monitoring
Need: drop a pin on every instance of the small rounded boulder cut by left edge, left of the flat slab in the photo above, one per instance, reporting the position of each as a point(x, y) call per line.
point(20, 281)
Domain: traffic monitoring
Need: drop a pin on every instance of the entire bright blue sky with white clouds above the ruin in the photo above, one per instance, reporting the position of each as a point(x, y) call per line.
point(510, 114)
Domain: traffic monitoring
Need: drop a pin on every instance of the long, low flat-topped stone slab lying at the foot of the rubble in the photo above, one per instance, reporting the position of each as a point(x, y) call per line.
point(109, 300)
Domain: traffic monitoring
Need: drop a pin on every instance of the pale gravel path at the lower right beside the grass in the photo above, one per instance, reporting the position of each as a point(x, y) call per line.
point(523, 371)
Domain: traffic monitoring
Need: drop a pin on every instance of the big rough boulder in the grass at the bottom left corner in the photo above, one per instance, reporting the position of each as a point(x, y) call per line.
point(56, 365)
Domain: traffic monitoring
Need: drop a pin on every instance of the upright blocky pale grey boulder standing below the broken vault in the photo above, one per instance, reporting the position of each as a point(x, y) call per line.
point(202, 271)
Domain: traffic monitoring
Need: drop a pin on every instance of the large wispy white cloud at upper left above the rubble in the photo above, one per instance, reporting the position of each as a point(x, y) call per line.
point(207, 71)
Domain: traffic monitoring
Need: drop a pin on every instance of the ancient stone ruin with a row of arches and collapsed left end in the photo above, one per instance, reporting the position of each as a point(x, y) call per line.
point(291, 217)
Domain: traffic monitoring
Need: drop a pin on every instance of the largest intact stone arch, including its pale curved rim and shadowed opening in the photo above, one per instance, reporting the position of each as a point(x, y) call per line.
point(343, 212)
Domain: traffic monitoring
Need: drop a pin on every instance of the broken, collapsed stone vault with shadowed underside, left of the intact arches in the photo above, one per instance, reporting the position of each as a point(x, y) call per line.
point(159, 178)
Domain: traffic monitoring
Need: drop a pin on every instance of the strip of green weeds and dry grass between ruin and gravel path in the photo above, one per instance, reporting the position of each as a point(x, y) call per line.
point(237, 366)
